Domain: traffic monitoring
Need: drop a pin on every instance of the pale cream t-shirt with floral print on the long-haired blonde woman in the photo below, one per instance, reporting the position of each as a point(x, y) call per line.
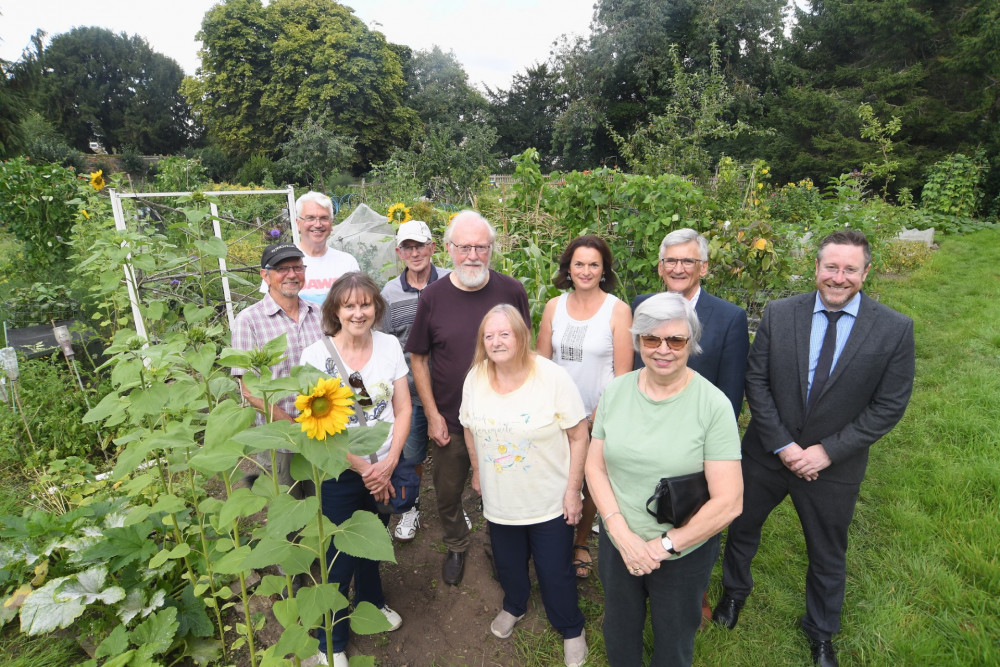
point(521, 443)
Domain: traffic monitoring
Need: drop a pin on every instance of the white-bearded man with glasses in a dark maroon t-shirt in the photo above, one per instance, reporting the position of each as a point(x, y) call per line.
point(441, 345)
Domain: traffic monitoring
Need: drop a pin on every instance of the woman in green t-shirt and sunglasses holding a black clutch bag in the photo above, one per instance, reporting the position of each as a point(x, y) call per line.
point(661, 421)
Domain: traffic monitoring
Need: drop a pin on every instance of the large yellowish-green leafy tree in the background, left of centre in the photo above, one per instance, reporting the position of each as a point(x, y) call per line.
point(267, 69)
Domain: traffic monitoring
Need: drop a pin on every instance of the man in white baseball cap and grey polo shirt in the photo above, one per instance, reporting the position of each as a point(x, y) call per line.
point(415, 246)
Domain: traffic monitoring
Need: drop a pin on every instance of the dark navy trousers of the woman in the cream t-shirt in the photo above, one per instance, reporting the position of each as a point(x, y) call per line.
point(550, 544)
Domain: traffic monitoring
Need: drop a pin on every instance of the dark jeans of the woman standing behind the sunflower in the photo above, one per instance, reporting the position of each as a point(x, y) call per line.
point(341, 498)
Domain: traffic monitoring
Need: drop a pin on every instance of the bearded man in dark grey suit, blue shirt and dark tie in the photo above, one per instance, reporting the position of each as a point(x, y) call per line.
point(830, 372)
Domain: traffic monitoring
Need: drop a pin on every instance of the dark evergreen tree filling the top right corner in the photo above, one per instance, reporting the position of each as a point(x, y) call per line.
point(906, 58)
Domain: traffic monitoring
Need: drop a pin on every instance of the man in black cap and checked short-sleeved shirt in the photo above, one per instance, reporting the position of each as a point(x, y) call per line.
point(280, 311)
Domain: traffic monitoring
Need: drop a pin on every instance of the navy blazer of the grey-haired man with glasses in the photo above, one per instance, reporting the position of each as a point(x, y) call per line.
point(725, 343)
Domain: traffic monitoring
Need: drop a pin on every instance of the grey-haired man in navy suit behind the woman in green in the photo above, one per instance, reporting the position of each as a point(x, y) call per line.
point(724, 338)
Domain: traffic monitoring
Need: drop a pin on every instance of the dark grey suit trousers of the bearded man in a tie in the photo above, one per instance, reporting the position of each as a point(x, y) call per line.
point(825, 511)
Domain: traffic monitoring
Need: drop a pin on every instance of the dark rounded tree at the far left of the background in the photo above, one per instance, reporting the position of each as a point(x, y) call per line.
point(92, 84)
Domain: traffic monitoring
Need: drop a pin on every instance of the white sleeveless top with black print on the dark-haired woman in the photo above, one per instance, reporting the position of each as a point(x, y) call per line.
point(585, 348)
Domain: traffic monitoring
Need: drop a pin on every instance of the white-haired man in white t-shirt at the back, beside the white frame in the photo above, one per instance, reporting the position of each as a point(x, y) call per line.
point(314, 218)
